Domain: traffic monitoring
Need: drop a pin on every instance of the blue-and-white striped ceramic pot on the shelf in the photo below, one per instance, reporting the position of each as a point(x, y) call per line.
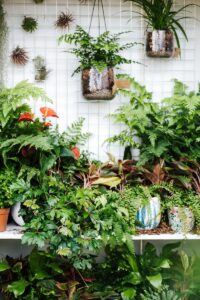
point(149, 216)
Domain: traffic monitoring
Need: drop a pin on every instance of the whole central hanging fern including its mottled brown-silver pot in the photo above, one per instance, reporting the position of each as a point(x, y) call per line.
point(97, 58)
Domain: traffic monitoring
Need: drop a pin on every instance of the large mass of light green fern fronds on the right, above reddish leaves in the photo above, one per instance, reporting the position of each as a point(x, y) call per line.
point(168, 131)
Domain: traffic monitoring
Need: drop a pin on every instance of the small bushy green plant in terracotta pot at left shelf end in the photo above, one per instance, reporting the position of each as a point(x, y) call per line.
point(6, 196)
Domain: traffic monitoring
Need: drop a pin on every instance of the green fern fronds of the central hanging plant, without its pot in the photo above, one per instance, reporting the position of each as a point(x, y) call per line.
point(97, 52)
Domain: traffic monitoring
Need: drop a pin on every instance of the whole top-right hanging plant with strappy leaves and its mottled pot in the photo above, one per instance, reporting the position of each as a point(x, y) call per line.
point(164, 22)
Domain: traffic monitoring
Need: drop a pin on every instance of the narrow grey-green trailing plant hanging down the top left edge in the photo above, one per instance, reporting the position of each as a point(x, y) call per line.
point(3, 42)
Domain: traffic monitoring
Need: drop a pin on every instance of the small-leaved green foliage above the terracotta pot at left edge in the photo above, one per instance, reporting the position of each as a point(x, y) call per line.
point(6, 193)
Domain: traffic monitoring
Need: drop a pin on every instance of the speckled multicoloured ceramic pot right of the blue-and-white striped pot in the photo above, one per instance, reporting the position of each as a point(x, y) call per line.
point(181, 219)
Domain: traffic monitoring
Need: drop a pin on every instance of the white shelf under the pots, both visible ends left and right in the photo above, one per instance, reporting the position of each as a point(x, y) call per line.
point(15, 232)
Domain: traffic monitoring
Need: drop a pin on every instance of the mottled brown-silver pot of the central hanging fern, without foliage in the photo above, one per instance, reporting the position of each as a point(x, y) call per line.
point(98, 85)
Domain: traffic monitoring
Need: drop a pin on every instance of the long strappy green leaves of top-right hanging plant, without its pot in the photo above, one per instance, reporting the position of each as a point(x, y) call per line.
point(161, 15)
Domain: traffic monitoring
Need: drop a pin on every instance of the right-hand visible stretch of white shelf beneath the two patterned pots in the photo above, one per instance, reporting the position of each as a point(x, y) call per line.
point(166, 236)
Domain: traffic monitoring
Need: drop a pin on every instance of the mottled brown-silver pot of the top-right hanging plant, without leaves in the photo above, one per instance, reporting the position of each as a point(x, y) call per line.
point(160, 43)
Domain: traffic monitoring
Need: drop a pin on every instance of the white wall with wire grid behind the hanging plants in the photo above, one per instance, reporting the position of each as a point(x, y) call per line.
point(156, 74)
